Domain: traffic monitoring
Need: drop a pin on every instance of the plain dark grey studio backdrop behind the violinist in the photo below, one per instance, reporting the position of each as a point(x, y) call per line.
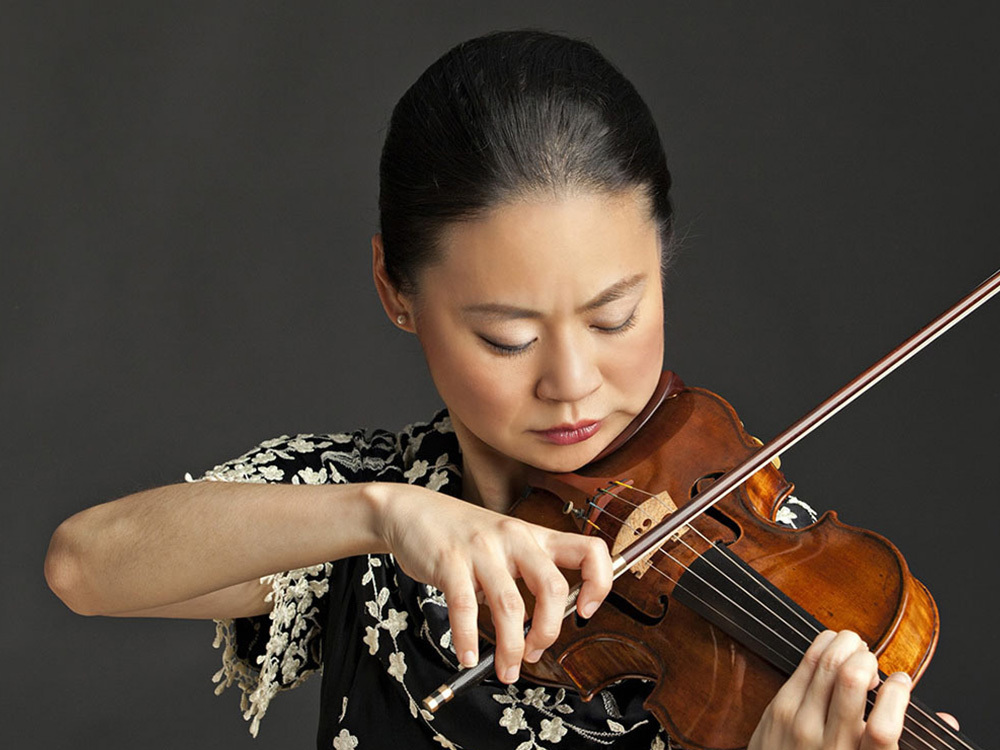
point(188, 196)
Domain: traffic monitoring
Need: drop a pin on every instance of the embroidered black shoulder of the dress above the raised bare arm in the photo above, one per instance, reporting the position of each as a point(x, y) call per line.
point(341, 457)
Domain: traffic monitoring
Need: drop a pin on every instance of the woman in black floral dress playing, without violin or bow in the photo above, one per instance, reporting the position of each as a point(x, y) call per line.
point(525, 223)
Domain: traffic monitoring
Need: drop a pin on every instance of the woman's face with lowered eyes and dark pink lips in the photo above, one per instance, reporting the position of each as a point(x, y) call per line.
point(542, 324)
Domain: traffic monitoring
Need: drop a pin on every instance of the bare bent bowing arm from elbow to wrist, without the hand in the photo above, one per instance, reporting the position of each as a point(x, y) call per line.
point(198, 550)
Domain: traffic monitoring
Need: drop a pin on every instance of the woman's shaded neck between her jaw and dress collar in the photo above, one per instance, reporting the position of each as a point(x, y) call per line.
point(489, 478)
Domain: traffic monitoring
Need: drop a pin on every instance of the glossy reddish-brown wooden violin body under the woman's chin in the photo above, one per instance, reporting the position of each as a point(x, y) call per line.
point(721, 615)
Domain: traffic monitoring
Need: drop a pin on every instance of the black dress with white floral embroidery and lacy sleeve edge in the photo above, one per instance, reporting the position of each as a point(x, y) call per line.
point(382, 640)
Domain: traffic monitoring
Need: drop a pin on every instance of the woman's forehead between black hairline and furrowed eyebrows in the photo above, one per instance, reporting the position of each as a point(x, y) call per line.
point(545, 247)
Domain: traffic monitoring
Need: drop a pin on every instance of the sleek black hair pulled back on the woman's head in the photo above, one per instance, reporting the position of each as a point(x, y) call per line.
point(503, 116)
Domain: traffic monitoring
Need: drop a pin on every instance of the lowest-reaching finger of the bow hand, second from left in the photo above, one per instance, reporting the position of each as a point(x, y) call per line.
point(507, 610)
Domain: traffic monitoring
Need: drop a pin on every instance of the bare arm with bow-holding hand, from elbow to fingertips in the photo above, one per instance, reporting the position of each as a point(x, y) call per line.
point(198, 550)
